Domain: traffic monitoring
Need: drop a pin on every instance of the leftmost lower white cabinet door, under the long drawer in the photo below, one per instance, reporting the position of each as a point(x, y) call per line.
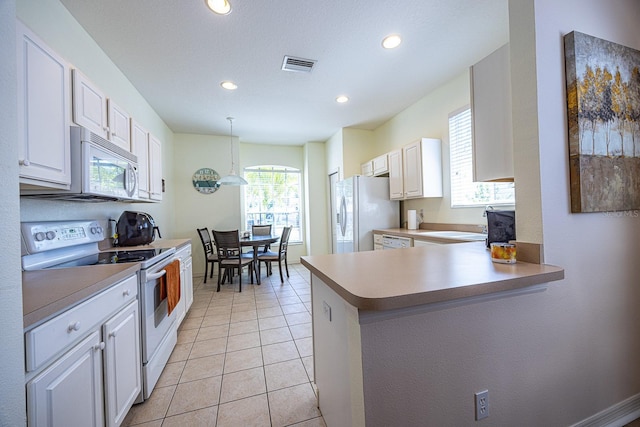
point(69, 392)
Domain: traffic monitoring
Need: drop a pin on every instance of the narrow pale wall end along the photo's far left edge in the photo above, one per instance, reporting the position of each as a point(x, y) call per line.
point(12, 396)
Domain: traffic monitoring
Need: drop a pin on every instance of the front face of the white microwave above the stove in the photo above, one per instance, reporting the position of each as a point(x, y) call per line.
point(107, 174)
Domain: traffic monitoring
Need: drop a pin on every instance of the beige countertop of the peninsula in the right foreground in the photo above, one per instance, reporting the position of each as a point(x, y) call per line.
point(400, 278)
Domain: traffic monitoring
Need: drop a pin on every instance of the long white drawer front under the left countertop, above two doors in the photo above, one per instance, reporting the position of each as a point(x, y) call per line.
point(62, 331)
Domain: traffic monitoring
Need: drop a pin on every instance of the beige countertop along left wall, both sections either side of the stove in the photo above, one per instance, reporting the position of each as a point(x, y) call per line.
point(46, 293)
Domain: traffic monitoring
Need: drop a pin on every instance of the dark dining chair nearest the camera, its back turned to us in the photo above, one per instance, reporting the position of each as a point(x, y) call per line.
point(228, 250)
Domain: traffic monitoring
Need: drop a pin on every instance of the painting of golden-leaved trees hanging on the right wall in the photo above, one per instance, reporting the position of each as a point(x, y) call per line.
point(603, 108)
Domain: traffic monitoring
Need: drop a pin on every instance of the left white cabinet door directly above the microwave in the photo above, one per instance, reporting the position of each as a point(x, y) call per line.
point(89, 105)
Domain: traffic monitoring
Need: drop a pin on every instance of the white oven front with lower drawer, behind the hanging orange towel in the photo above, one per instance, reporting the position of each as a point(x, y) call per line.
point(159, 331)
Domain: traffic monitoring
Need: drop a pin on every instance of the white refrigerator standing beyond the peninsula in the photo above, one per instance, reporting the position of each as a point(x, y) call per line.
point(362, 205)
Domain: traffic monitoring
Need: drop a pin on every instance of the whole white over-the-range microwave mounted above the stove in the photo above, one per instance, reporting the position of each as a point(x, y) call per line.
point(100, 171)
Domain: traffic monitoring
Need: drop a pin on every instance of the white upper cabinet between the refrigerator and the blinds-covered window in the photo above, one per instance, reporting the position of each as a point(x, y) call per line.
point(422, 168)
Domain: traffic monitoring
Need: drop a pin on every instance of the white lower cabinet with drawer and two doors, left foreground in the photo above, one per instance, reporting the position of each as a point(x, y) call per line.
point(91, 380)
